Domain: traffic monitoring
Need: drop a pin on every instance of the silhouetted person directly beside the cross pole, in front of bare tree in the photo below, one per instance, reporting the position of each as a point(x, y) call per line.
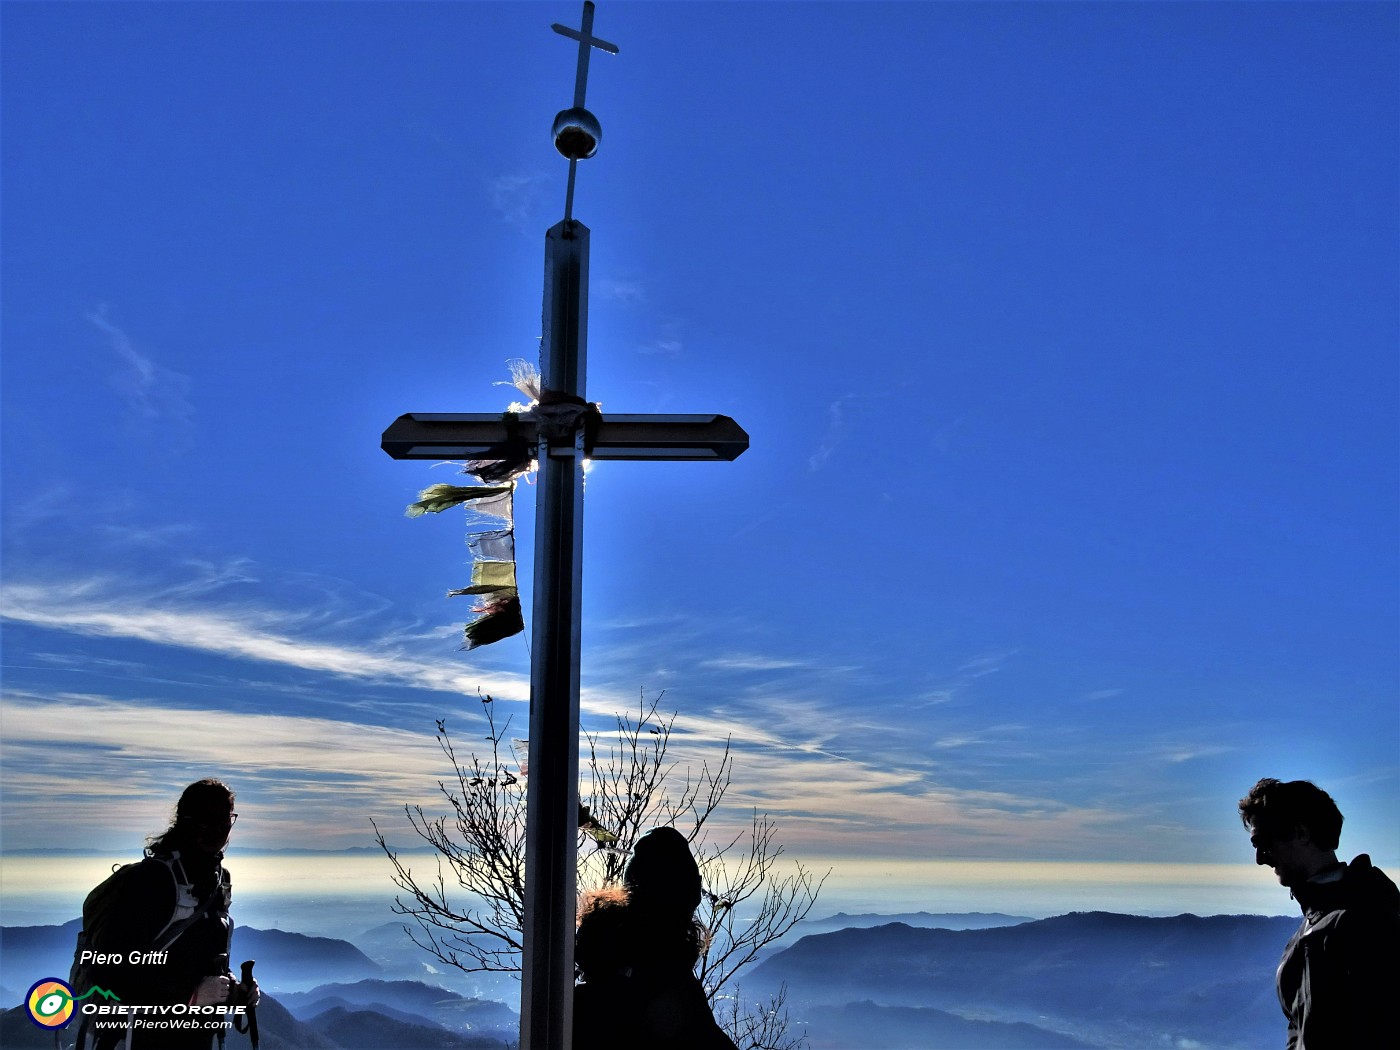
point(638, 950)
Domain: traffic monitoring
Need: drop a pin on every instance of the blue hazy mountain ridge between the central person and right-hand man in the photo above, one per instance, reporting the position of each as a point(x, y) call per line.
point(1100, 978)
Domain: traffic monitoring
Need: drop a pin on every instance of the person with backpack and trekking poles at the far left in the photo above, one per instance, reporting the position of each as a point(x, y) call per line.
point(157, 934)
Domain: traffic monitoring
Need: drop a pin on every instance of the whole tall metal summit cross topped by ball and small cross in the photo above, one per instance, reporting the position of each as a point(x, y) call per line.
point(552, 800)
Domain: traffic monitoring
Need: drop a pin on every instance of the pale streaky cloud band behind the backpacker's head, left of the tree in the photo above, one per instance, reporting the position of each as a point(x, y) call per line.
point(110, 769)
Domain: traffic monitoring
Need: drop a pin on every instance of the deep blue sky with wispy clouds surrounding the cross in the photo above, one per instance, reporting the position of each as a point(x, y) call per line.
point(1065, 335)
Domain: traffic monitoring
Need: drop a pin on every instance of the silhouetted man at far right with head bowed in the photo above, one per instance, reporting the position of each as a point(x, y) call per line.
point(1340, 974)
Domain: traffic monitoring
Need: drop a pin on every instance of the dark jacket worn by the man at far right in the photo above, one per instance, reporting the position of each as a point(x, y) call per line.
point(1340, 972)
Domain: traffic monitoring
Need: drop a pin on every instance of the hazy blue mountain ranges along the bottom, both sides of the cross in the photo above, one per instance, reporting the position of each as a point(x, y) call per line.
point(1080, 981)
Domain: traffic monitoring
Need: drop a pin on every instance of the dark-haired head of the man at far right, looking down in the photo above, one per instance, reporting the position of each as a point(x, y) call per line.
point(1294, 828)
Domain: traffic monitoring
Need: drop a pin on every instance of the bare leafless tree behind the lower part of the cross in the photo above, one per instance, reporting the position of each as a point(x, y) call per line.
point(470, 912)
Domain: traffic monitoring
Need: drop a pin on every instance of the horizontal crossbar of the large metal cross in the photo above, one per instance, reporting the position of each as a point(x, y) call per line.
point(472, 436)
